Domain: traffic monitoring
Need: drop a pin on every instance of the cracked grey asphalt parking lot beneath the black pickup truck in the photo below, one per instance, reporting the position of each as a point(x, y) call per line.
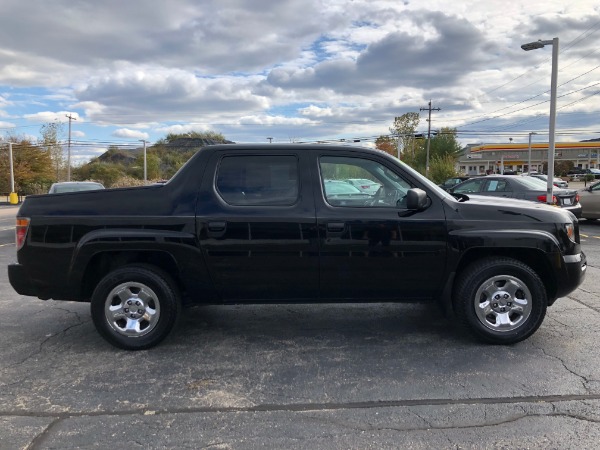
point(307, 376)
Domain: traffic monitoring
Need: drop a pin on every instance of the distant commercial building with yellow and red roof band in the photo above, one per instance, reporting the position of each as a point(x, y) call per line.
point(501, 158)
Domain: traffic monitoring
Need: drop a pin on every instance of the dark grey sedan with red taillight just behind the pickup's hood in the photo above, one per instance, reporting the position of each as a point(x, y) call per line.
point(524, 188)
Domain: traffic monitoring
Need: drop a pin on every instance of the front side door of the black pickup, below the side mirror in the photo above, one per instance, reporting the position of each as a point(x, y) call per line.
point(372, 249)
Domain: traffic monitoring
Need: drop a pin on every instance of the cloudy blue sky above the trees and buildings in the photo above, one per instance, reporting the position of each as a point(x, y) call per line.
point(295, 70)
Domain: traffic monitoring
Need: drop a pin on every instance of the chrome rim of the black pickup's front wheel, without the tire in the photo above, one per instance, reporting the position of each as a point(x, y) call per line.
point(503, 303)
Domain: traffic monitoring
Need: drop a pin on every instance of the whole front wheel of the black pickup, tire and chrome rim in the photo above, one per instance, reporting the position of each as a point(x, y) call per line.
point(500, 300)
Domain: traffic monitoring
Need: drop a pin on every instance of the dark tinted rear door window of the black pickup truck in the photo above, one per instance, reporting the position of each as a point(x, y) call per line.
point(258, 180)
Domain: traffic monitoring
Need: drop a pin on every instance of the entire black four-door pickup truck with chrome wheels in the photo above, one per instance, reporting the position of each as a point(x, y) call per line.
point(277, 224)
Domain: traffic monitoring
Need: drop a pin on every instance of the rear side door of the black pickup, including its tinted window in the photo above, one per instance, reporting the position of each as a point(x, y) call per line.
point(257, 228)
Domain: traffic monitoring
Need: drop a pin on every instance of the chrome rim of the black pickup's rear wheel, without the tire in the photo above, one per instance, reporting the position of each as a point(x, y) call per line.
point(132, 309)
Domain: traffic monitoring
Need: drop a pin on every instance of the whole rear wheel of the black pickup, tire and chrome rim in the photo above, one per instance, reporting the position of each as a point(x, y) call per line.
point(135, 307)
